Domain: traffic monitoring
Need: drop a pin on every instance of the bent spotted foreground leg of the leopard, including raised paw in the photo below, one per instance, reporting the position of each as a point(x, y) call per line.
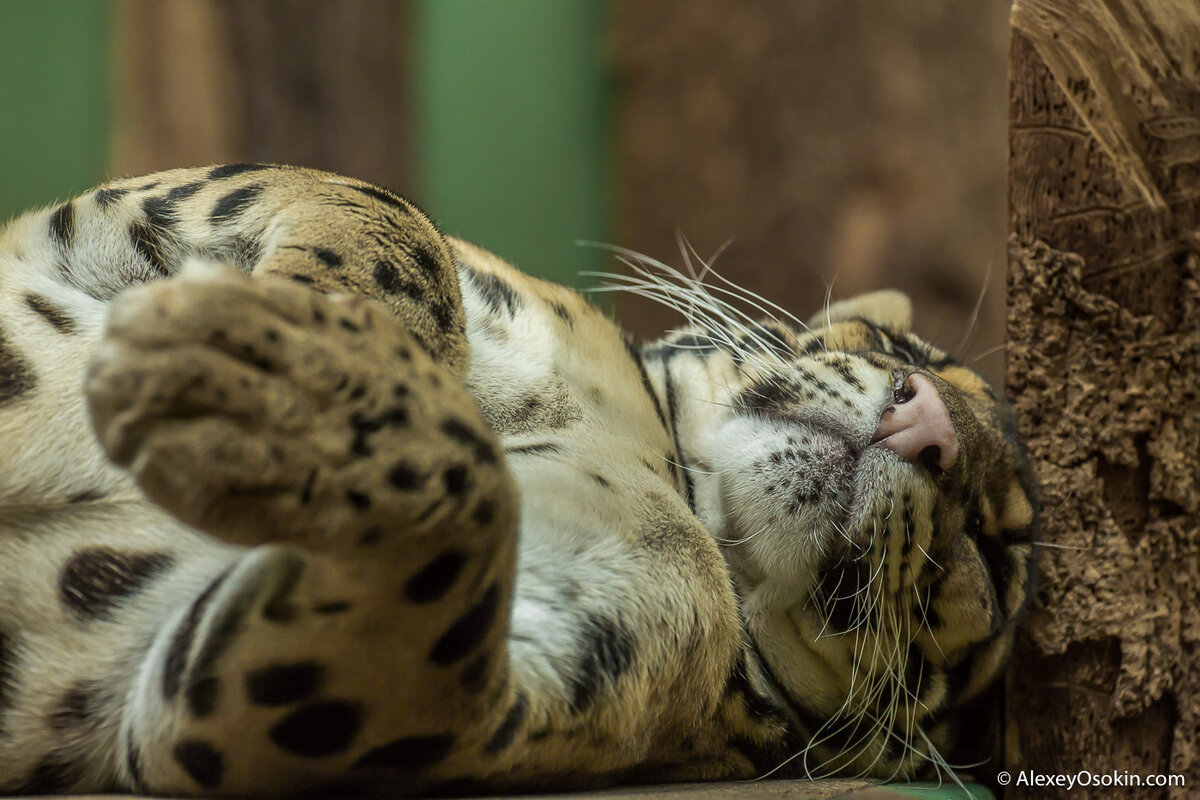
point(382, 524)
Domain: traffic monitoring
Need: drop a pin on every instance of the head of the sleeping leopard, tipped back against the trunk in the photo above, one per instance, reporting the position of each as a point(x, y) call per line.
point(877, 510)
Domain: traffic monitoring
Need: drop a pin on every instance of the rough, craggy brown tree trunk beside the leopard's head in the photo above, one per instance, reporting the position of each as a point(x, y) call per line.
point(1105, 370)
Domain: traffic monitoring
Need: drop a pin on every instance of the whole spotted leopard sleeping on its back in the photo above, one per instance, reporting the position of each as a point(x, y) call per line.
point(299, 495)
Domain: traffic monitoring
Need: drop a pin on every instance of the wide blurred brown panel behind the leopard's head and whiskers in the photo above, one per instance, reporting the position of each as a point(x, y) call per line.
point(860, 142)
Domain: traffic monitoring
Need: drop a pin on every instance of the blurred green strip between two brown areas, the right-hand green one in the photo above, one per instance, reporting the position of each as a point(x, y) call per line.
point(514, 140)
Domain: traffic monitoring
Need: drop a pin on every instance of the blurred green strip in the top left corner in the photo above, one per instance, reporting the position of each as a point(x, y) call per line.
point(55, 100)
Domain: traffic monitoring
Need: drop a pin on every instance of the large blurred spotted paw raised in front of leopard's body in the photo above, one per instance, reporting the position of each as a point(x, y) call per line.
point(260, 411)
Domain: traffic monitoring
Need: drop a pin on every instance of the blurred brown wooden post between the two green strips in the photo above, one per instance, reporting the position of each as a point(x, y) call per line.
point(304, 82)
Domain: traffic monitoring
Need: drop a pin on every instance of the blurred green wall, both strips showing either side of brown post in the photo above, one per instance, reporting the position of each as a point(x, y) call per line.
point(513, 118)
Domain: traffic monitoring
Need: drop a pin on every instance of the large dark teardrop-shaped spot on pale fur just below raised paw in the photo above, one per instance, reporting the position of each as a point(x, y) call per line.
point(97, 581)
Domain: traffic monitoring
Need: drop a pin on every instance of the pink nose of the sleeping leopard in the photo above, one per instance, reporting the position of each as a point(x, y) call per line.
point(919, 424)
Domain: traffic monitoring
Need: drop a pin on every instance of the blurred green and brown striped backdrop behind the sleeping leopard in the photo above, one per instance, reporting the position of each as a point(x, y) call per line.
point(854, 143)
